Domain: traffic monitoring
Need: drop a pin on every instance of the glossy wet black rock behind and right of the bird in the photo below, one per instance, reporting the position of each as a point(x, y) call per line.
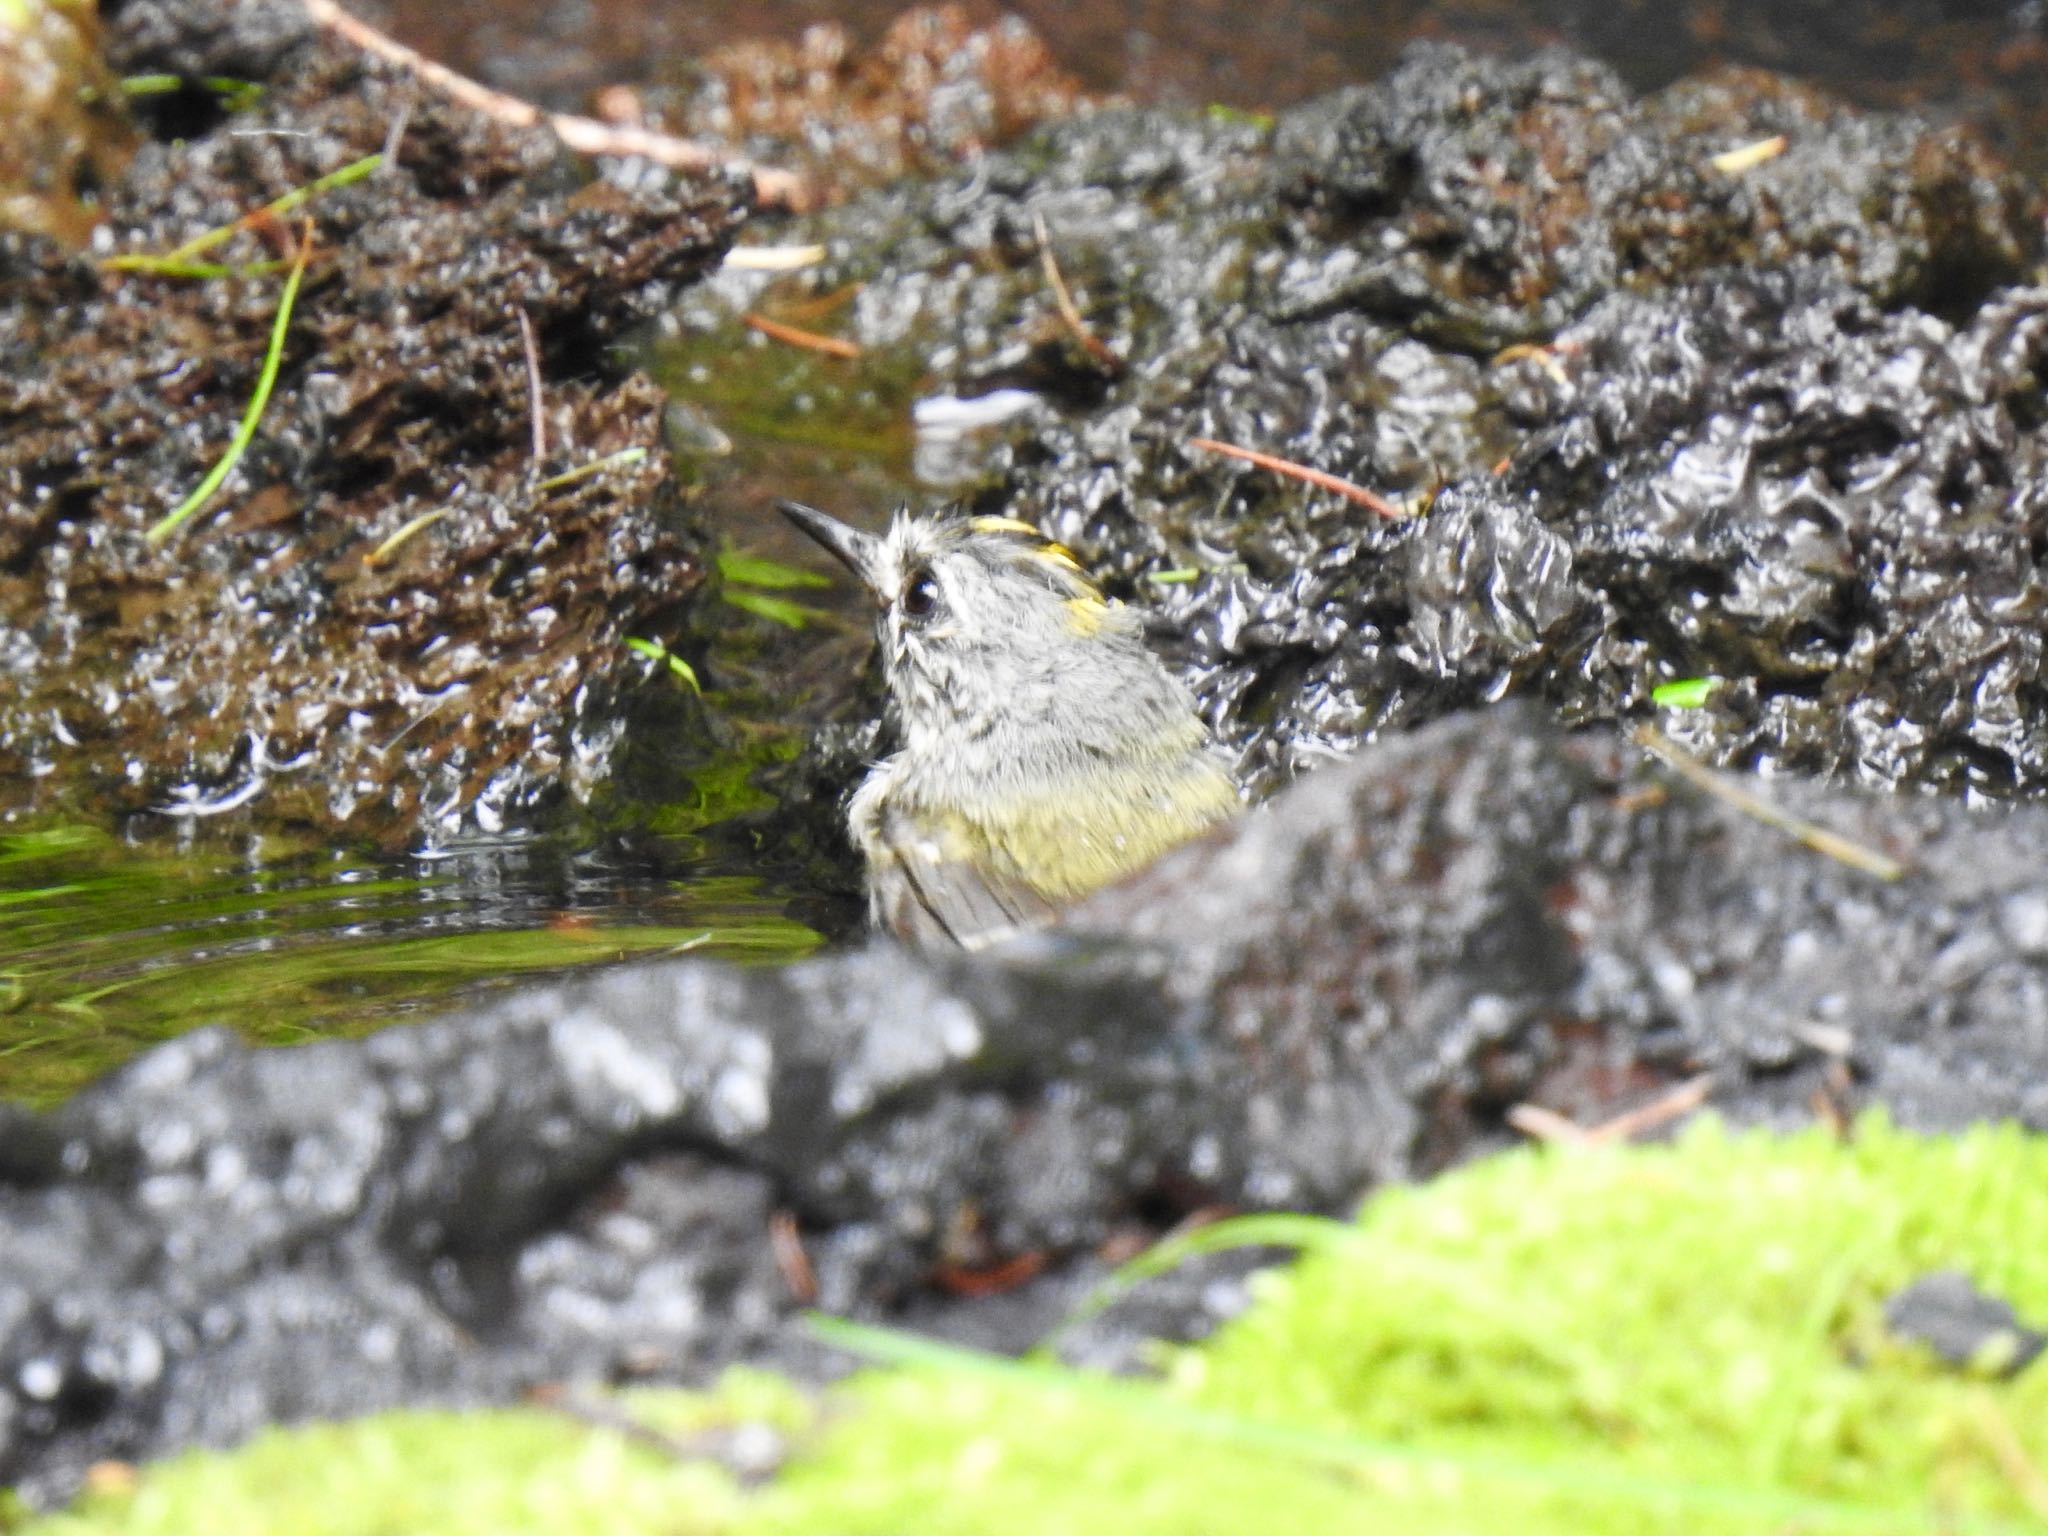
point(1656, 415)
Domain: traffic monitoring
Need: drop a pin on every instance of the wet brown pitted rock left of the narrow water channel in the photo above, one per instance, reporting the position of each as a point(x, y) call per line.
point(269, 654)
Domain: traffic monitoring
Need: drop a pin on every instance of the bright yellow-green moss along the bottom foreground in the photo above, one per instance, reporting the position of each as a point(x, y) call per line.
point(1613, 1340)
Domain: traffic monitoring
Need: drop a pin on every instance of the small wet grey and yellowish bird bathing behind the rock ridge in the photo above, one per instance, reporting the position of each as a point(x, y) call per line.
point(1043, 749)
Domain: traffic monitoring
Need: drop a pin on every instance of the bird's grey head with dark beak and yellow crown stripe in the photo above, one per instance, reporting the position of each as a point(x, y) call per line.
point(982, 620)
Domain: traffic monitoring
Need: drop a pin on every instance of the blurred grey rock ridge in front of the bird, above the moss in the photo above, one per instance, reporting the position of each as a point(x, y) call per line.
point(1345, 988)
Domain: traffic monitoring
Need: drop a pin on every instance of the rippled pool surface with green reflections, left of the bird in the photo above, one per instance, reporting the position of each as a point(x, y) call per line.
point(108, 949)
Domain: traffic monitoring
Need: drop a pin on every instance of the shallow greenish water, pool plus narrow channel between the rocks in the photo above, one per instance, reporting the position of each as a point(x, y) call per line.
point(118, 939)
